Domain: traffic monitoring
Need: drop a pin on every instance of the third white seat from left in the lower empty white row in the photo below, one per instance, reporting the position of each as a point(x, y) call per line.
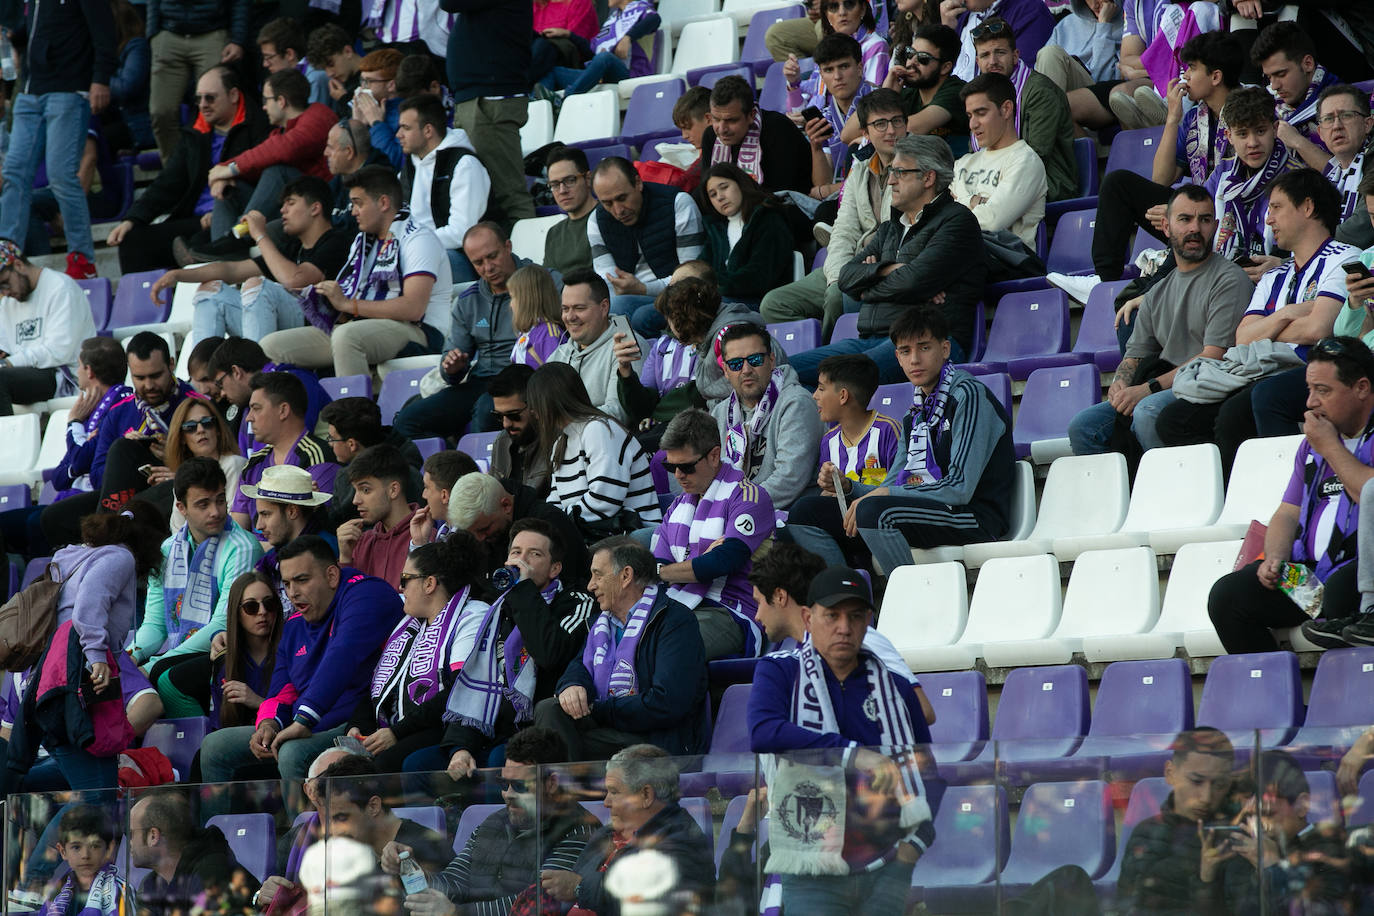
point(1129, 576)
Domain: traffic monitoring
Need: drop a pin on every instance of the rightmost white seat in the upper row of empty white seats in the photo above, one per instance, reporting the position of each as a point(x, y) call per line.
point(1259, 477)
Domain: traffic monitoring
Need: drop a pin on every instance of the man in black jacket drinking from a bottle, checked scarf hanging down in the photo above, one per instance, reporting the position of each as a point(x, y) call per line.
point(516, 652)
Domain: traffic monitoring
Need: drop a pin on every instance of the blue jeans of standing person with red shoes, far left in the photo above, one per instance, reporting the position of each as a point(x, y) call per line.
point(54, 127)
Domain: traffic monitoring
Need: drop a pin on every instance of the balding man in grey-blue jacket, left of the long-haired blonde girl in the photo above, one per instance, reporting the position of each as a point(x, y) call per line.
point(483, 336)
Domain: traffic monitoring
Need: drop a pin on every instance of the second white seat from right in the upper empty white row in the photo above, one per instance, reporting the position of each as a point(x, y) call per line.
point(1175, 488)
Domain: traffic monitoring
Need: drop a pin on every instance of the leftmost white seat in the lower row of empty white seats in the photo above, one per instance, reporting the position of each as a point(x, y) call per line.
point(925, 606)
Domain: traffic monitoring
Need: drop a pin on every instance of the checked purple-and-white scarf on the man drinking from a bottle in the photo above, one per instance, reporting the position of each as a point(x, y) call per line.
point(494, 672)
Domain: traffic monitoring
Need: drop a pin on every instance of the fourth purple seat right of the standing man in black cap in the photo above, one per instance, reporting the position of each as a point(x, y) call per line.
point(1254, 691)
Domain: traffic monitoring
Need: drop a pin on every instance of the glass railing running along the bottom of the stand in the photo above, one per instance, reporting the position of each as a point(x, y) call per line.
point(1248, 822)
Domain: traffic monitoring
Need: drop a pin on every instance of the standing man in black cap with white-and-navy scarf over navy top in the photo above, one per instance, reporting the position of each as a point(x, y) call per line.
point(858, 705)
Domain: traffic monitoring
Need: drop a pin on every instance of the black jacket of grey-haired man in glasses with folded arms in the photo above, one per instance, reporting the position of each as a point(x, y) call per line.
point(942, 253)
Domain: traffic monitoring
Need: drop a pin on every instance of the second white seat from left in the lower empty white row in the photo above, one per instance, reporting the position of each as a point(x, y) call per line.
point(1016, 599)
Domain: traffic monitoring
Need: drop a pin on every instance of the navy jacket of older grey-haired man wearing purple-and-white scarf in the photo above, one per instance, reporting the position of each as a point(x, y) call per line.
point(671, 667)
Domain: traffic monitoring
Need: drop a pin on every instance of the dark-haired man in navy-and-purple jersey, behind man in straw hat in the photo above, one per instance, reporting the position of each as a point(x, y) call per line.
point(277, 411)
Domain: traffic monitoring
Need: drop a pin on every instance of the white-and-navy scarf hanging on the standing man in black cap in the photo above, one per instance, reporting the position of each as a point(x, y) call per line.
point(807, 803)
